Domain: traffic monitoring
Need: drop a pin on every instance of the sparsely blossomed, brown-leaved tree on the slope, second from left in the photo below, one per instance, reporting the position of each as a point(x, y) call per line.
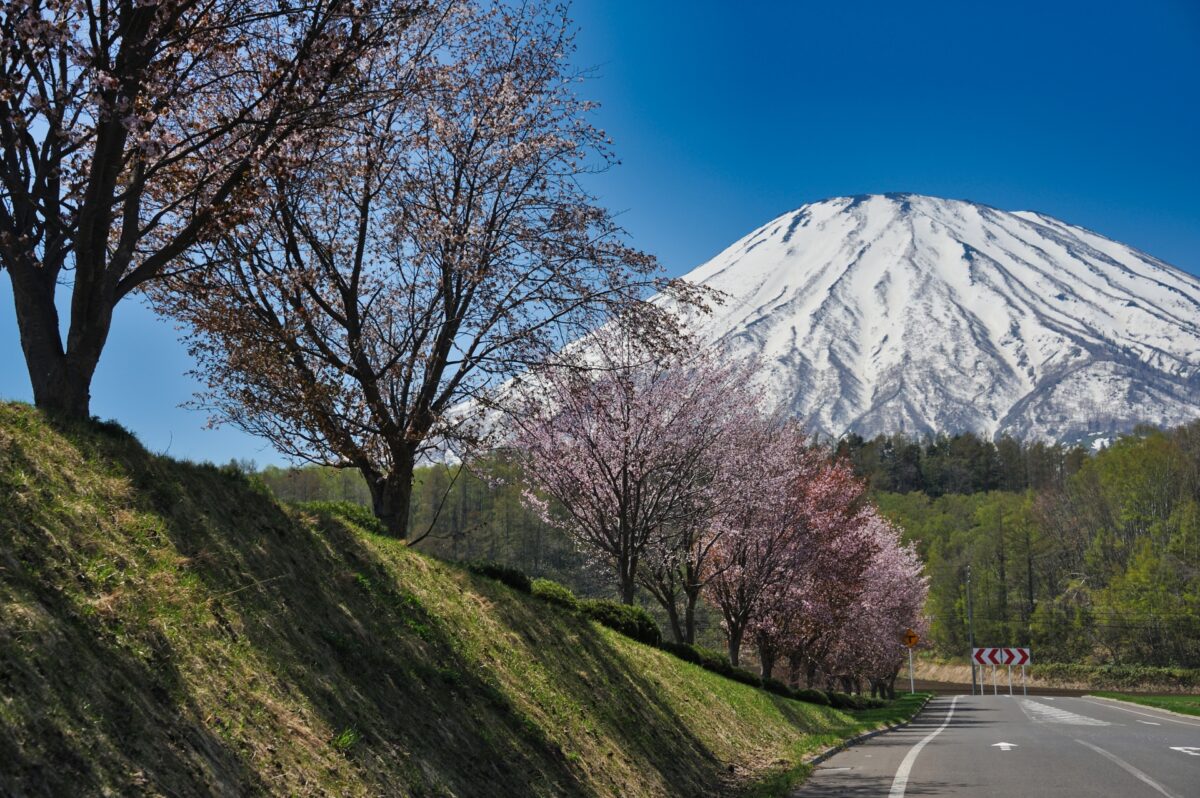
point(437, 247)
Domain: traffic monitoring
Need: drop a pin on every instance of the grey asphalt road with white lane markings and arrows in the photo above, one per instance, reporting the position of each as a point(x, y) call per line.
point(1069, 747)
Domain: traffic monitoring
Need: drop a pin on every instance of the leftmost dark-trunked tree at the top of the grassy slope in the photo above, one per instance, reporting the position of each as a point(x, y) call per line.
point(133, 130)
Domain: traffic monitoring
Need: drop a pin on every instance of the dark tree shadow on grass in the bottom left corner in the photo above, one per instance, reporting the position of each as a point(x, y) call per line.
point(82, 713)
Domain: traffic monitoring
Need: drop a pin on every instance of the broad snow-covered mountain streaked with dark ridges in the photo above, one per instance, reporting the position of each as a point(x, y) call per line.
point(901, 313)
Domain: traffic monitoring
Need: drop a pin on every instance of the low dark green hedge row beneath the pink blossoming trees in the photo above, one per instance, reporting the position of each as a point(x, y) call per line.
point(638, 625)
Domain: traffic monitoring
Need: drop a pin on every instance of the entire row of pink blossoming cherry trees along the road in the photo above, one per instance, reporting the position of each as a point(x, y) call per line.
point(670, 473)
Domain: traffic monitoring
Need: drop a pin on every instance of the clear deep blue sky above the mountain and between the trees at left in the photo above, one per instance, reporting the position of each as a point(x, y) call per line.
point(727, 115)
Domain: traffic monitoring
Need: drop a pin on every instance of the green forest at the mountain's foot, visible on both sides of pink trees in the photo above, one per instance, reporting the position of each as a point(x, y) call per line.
point(1087, 556)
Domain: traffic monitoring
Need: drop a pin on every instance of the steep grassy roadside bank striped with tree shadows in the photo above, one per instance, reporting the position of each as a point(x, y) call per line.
point(167, 629)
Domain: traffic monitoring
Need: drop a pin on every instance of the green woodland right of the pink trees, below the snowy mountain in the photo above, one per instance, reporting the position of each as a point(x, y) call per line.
point(1083, 557)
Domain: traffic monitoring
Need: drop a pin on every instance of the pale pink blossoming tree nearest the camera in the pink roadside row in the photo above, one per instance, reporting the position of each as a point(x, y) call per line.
point(633, 446)
